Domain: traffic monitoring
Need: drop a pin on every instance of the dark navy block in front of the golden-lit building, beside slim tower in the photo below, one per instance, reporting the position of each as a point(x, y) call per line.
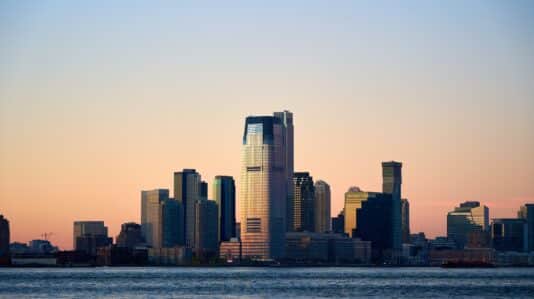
point(375, 223)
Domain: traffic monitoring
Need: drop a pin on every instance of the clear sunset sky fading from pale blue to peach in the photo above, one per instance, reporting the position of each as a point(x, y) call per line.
point(100, 100)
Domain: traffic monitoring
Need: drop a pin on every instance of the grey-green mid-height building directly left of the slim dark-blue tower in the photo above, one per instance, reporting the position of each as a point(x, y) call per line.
point(206, 241)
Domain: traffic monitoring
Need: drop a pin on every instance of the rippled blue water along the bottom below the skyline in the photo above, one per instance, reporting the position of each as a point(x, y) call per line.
point(266, 282)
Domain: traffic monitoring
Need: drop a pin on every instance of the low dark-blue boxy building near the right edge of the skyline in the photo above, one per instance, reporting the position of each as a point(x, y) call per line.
point(509, 234)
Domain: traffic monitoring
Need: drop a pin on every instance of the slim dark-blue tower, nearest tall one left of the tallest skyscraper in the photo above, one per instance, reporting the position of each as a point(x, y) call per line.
point(224, 195)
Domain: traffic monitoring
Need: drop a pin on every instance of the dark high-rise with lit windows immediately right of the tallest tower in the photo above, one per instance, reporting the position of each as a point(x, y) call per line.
point(301, 213)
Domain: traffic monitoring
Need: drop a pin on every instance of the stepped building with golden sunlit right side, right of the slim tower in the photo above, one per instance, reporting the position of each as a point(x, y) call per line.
point(469, 217)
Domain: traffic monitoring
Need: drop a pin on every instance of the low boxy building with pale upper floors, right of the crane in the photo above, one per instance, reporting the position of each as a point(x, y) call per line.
point(90, 235)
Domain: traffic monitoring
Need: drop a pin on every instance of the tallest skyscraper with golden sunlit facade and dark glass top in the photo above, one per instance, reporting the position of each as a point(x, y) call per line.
point(264, 186)
